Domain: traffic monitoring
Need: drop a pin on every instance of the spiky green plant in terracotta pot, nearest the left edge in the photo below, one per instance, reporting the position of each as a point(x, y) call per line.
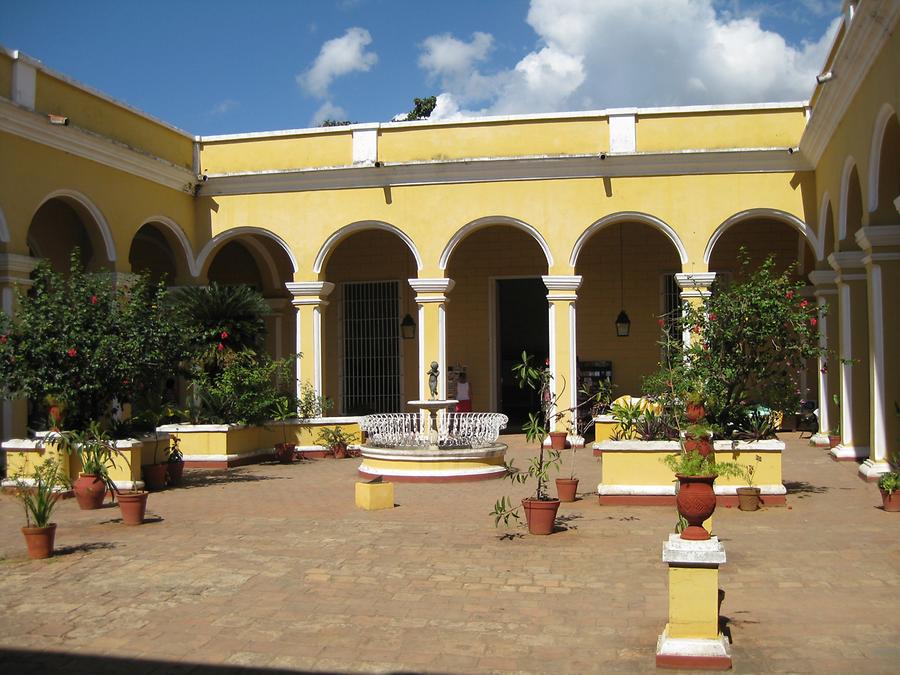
point(39, 499)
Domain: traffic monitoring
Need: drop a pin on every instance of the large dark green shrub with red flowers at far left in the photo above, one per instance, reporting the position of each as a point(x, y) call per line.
point(80, 342)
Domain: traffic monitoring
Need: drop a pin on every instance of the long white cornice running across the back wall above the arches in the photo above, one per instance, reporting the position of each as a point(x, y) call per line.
point(484, 170)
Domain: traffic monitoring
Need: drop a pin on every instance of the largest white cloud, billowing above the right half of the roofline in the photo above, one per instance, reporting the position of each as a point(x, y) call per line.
point(626, 53)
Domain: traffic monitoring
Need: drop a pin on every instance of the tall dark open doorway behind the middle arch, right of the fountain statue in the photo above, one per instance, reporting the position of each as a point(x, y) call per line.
point(522, 325)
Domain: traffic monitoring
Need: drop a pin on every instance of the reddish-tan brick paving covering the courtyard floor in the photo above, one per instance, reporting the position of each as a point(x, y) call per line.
point(272, 567)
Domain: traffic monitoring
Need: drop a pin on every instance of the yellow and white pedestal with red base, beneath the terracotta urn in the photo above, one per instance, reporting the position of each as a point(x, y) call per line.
point(691, 638)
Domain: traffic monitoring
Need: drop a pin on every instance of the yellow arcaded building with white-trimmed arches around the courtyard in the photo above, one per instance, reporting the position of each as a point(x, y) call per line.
point(493, 234)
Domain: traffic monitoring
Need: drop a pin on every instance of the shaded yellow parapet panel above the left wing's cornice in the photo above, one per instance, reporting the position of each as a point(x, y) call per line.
point(103, 117)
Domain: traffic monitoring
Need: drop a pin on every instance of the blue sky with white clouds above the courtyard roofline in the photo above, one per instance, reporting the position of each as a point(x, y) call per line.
point(229, 67)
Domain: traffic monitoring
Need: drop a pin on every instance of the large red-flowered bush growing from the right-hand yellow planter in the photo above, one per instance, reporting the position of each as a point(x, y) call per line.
point(750, 340)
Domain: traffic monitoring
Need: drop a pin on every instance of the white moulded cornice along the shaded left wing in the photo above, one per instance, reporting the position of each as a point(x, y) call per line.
point(82, 143)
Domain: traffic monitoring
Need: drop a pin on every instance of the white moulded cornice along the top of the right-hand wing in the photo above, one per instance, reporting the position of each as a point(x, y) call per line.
point(865, 37)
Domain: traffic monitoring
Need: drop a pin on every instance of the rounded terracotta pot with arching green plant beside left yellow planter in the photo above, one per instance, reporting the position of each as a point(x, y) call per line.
point(96, 451)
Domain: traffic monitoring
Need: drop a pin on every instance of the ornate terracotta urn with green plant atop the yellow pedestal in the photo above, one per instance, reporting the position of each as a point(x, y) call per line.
point(696, 499)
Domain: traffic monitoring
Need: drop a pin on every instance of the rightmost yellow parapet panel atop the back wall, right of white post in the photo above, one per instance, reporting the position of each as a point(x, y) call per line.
point(720, 129)
